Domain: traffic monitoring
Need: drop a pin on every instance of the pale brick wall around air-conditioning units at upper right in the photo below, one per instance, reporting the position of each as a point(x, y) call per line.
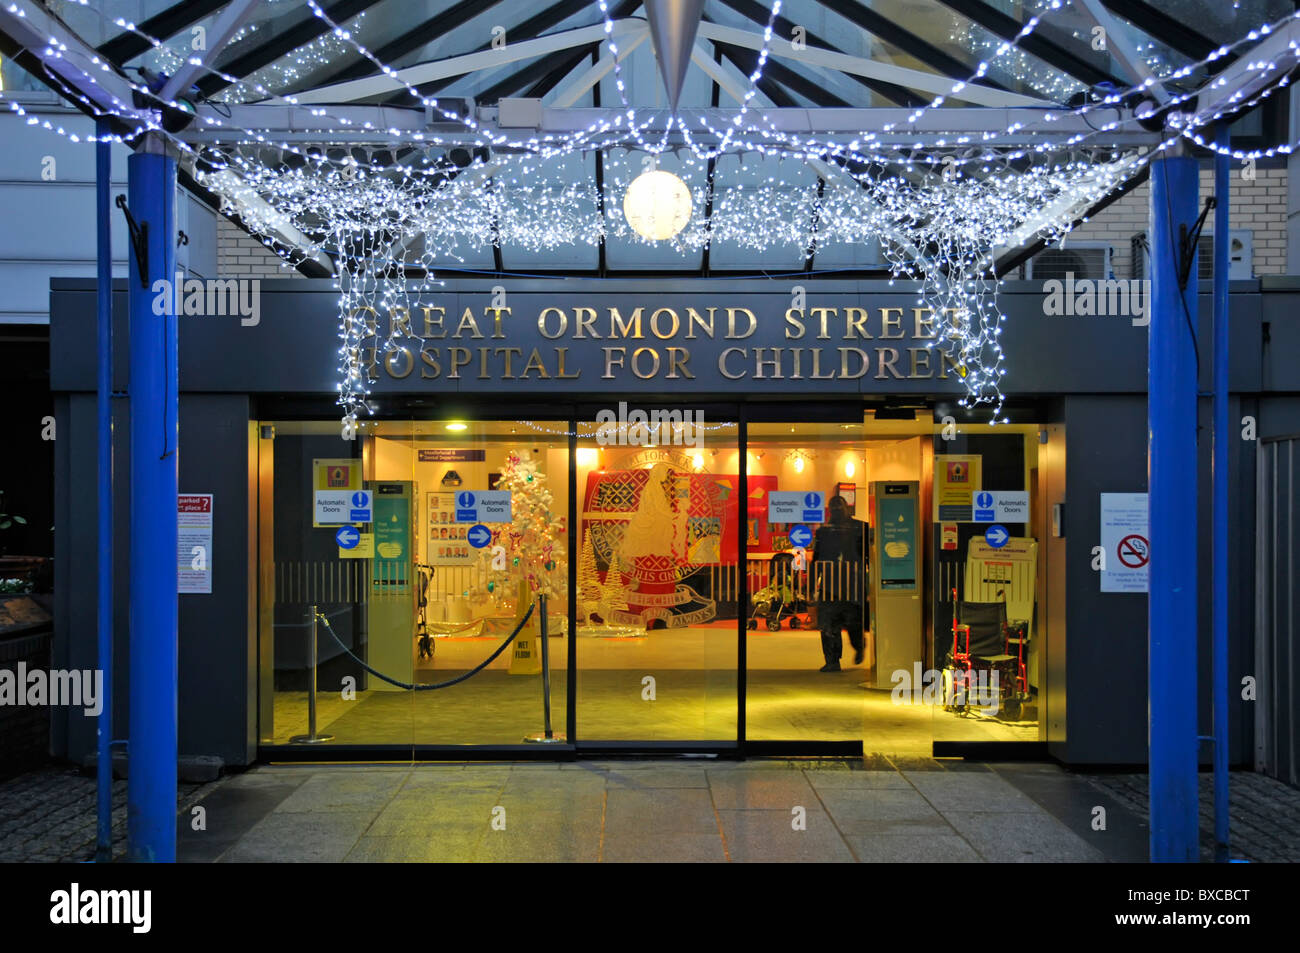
point(1259, 205)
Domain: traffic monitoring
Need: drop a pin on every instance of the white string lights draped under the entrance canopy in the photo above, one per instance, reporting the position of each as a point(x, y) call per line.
point(939, 211)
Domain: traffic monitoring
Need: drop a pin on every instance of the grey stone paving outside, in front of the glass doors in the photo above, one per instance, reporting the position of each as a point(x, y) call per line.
point(658, 812)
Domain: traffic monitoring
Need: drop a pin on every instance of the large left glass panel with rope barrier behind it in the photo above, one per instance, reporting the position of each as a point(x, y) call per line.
point(418, 597)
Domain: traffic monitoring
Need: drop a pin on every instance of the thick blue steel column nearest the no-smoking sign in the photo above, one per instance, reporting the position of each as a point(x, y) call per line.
point(1172, 479)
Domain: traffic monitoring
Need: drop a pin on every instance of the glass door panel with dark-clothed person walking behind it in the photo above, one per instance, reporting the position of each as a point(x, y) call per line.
point(808, 649)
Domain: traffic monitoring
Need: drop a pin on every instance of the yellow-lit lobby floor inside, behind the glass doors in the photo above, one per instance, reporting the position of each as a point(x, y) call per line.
point(695, 699)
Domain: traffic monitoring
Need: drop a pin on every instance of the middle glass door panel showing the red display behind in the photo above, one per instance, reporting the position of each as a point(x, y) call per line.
point(657, 579)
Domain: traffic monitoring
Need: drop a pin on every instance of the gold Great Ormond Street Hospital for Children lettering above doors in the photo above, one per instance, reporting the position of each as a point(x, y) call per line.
point(398, 344)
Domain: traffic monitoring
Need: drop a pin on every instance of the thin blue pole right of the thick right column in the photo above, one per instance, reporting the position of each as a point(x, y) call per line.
point(1223, 179)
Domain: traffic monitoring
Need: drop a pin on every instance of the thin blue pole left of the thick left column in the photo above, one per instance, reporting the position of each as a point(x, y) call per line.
point(105, 406)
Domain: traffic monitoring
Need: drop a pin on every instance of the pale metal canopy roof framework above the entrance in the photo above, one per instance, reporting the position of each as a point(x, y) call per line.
point(547, 53)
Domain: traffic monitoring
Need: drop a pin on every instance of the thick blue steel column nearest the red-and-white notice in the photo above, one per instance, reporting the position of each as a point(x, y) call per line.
point(151, 783)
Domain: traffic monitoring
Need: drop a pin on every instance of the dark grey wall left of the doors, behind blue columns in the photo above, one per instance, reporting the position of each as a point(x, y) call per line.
point(215, 688)
